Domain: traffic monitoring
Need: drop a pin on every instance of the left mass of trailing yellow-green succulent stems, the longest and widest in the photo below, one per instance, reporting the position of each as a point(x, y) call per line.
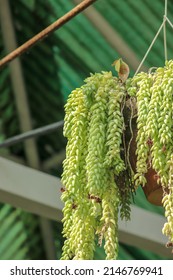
point(93, 126)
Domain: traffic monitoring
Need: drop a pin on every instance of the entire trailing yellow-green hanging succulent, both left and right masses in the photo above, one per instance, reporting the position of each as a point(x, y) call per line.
point(99, 175)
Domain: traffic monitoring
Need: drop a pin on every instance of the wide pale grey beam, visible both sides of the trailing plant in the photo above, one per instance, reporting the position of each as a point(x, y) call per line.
point(39, 193)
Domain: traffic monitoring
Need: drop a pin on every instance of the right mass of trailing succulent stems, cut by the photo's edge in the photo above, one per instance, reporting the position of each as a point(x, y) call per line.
point(154, 97)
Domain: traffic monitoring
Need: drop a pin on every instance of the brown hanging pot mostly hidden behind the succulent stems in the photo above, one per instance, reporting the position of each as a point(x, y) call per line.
point(153, 191)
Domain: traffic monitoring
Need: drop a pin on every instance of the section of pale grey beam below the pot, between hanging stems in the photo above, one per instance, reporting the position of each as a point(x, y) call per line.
point(145, 231)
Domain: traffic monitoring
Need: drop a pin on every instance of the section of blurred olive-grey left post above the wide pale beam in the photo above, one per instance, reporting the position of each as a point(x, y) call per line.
point(18, 83)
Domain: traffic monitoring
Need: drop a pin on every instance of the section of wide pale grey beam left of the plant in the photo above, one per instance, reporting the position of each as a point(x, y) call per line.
point(31, 190)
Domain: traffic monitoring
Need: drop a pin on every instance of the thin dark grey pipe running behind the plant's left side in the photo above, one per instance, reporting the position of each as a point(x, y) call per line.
point(33, 133)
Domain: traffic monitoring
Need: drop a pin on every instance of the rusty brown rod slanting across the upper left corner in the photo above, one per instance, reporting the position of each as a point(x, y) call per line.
point(44, 33)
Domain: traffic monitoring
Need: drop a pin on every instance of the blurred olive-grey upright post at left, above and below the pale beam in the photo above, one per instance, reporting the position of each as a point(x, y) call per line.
point(24, 113)
